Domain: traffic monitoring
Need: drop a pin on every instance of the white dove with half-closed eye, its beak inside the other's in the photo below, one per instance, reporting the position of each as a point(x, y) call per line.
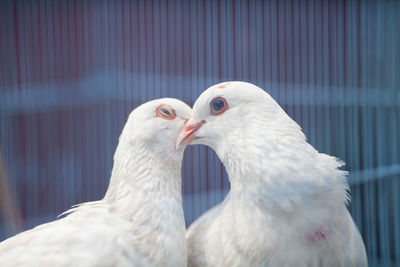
point(139, 222)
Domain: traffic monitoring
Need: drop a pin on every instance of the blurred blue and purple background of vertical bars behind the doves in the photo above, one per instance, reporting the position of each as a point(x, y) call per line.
point(71, 72)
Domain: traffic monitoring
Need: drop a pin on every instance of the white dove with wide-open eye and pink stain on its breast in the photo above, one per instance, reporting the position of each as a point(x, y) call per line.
point(287, 202)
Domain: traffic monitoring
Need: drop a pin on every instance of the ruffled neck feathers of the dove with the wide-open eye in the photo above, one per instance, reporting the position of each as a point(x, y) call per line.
point(278, 167)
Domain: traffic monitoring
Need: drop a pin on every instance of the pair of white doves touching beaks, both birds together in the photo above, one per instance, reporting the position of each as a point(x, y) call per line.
point(286, 206)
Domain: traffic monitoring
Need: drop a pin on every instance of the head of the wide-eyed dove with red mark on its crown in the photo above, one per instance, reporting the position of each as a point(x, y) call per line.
point(233, 112)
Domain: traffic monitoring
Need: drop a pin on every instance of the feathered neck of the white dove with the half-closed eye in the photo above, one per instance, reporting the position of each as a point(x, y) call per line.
point(144, 175)
